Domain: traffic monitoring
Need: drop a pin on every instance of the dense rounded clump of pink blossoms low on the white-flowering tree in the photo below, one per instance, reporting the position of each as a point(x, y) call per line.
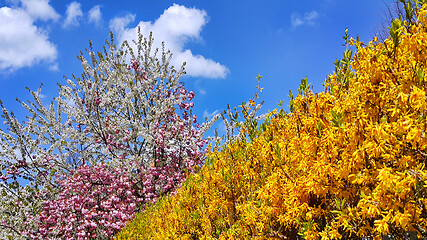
point(94, 202)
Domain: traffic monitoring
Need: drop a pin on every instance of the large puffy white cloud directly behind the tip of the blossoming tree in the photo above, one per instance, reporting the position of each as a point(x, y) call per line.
point(176, 26)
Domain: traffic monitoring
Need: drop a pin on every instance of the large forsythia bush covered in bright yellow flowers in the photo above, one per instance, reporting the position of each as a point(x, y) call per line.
point(346, 163)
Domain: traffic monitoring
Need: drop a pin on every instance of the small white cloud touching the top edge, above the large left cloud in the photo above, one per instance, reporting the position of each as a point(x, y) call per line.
point(40, 9)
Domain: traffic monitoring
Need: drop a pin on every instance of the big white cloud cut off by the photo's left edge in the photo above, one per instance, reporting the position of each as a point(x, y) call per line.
point(22, 43)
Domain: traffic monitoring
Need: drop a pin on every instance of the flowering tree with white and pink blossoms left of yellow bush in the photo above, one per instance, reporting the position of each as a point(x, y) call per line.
point(126, 121)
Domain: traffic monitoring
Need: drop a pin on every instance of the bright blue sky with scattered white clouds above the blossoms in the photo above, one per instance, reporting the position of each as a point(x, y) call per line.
point(226, 43)
